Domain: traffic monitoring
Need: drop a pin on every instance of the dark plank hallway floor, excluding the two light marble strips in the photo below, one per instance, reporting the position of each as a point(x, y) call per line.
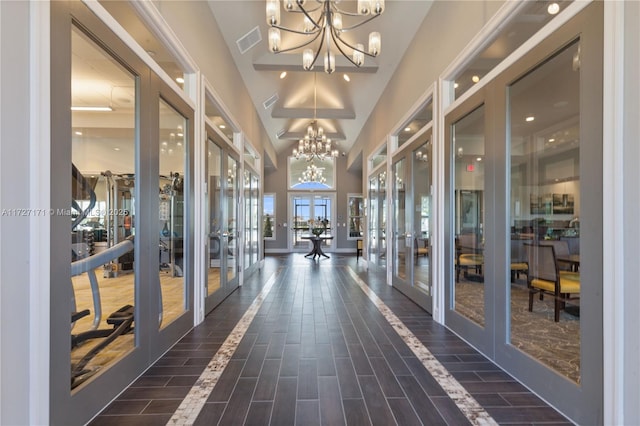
point(320, 352)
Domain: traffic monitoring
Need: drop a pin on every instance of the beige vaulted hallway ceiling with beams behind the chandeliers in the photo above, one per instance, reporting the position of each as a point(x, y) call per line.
point(287, 105)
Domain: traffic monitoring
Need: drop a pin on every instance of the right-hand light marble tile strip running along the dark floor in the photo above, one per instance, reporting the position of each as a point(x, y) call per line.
point(463, 399)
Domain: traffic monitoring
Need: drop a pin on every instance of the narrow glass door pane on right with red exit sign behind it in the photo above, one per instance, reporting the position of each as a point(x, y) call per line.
point(467, 148)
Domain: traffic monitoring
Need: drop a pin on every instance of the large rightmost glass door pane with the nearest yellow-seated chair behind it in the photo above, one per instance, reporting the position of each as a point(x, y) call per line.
point(545, 207)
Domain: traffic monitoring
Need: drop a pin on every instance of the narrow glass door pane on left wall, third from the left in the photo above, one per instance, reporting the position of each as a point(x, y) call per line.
point(214, 215)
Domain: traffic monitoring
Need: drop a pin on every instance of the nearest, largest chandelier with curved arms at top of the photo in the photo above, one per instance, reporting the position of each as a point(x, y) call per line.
point(324, 24)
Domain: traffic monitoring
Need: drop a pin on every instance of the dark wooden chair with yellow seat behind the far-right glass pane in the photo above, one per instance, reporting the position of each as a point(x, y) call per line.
point(544, 277)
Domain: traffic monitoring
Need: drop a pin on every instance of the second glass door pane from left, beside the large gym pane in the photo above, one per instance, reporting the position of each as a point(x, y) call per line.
point(171, 226)
